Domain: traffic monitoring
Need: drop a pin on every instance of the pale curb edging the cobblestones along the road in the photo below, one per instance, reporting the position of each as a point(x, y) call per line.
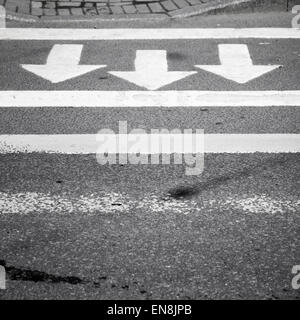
point(213, 7)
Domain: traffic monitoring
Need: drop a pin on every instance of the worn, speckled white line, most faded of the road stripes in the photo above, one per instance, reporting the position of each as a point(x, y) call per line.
point(25, 203)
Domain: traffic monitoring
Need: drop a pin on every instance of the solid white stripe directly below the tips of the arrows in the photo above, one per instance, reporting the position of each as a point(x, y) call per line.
point(149, 98)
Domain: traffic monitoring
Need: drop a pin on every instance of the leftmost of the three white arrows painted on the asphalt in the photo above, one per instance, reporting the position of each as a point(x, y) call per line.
point(62, 64)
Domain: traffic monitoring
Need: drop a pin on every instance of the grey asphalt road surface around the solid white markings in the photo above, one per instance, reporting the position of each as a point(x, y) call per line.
point(72, 228)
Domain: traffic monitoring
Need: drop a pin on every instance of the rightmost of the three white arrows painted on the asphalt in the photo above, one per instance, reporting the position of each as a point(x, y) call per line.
point(236, 64)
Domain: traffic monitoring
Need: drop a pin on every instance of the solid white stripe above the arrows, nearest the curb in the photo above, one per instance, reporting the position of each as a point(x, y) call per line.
point(147, 34)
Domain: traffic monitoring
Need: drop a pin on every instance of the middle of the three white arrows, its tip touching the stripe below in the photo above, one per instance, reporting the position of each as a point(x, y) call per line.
point(151, 70)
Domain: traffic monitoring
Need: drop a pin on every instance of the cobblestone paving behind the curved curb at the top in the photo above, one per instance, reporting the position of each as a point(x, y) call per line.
point(96, 7)
